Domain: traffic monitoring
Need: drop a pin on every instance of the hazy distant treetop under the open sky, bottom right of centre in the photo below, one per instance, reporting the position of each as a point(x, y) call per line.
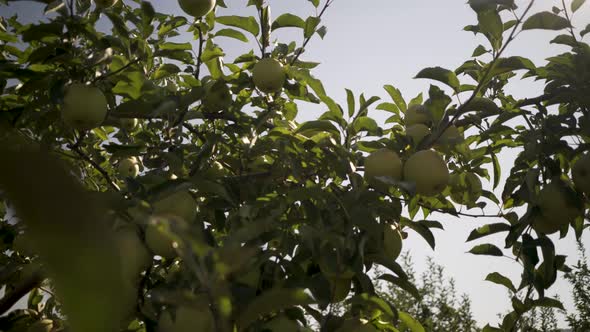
point(441, 308)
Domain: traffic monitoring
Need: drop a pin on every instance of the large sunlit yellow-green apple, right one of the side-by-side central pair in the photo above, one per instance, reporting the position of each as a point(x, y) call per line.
point(428, 171)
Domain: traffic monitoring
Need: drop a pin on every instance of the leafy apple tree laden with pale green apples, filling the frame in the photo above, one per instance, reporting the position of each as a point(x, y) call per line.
point(154, 184)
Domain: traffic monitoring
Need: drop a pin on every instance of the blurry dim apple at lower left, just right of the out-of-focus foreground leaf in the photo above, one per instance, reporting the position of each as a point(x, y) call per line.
point(134, 255)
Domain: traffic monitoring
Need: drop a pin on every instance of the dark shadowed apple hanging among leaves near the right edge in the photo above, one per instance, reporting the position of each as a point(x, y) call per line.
point(556, 209)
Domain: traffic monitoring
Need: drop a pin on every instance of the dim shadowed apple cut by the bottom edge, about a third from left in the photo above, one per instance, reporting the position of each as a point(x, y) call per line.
point(187, 319)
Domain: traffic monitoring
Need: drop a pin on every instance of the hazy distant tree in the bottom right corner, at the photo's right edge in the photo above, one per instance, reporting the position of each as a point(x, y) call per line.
point(579, 278)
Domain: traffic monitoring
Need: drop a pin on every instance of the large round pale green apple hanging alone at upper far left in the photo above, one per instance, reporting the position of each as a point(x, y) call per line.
point(84, 108)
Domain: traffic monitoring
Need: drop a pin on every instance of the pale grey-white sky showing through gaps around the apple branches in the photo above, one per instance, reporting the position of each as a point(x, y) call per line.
point(373, 43)
